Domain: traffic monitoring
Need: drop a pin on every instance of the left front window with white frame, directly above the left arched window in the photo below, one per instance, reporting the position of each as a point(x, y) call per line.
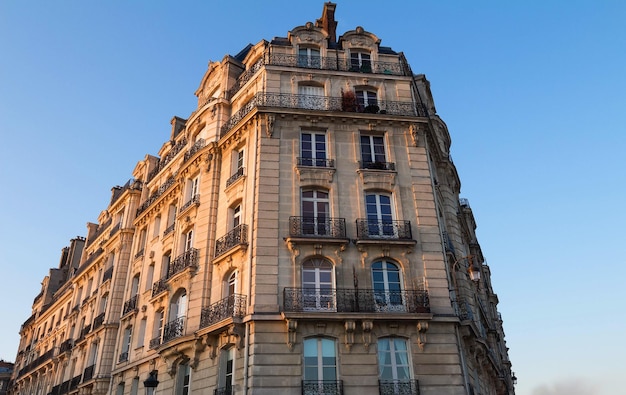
point(315, 212)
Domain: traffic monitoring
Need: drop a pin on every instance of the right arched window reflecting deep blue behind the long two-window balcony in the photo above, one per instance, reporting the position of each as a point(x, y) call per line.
point(387, 283)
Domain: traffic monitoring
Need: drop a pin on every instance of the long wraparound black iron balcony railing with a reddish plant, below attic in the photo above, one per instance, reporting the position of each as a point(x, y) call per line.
point(323, 103)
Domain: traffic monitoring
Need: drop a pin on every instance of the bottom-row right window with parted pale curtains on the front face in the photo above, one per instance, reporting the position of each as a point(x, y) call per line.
point(394, 370)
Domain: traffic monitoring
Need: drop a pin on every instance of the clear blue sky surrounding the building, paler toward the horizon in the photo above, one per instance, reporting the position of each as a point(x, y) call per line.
point(533, 93)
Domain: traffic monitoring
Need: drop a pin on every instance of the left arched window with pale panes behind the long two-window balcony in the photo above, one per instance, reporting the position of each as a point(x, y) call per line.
point(318, 283)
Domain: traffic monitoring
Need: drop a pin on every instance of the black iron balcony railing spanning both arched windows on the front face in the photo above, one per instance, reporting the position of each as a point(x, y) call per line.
point(355, 301)
